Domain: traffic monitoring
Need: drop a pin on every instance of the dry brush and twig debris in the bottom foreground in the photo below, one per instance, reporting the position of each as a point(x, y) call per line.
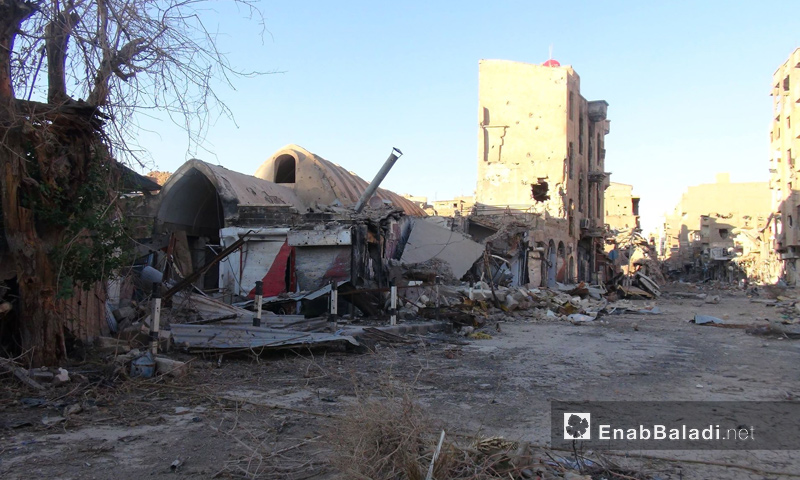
point(394, 438)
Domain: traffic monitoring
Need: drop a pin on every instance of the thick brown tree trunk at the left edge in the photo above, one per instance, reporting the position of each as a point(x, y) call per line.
point(30, 245)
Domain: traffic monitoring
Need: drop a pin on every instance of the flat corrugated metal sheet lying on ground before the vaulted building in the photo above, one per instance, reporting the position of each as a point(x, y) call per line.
point(226, 337)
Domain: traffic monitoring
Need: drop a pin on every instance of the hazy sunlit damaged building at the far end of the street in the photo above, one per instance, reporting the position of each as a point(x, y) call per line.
point(701, 233)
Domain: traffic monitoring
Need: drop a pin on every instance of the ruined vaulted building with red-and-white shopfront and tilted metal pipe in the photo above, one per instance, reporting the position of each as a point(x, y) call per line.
point(300, 224)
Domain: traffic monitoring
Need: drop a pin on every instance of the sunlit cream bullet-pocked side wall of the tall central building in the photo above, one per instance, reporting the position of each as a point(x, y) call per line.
point(523, 133)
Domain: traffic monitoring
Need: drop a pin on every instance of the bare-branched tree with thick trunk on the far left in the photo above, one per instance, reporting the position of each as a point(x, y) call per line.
point(73, 75)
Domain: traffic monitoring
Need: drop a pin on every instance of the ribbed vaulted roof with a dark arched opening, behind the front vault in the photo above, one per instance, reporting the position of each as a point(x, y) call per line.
point(346, 186)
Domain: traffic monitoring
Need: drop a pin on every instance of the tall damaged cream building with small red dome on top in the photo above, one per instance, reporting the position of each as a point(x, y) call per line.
point(541, 166)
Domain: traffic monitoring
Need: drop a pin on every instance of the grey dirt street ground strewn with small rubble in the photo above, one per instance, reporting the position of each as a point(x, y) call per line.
point(276, 416)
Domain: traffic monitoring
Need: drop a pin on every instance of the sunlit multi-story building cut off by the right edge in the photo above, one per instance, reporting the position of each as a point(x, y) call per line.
point(784, 147)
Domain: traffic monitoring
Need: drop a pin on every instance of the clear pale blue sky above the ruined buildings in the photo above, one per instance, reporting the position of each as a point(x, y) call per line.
point(687, 85)
